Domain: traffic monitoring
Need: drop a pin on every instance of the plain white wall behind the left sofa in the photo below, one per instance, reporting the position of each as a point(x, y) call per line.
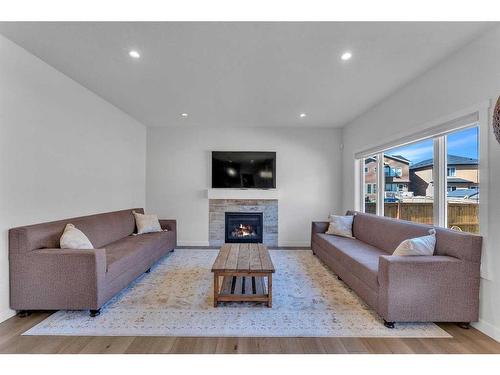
point(63, 151)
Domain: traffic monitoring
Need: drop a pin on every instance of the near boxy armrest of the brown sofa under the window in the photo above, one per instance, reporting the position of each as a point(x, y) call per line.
point(428, 288)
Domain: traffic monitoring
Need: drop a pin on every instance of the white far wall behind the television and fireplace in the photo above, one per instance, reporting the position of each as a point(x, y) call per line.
point(308, 175)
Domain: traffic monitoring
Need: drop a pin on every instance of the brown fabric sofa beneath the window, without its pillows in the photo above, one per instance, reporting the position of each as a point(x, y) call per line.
point(439, 288)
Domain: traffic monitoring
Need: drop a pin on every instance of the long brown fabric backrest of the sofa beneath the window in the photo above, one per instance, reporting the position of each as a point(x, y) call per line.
point(387, 233)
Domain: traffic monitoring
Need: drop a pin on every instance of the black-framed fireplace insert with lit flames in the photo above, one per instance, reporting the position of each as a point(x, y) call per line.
point(244, 227)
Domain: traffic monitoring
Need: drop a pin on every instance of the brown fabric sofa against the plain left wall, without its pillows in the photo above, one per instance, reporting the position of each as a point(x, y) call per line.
point(45, 277)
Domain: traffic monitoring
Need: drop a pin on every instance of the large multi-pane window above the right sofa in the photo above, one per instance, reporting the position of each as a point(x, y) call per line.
point(432, 181)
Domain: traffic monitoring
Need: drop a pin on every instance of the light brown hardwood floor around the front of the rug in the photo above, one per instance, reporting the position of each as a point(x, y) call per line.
point(463, 342)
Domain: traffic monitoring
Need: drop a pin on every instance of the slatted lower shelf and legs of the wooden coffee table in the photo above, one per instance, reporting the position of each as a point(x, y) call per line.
point(242, 289)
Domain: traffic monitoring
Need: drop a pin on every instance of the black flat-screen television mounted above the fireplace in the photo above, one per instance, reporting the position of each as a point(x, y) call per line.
point(244, 170)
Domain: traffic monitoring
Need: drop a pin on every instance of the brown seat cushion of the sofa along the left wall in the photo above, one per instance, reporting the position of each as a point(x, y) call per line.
point(130, 251)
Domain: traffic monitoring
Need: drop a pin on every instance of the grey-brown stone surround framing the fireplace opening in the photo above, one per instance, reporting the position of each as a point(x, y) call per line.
point(218, 208)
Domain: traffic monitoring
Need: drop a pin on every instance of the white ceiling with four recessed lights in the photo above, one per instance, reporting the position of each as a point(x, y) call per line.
point(242, 74)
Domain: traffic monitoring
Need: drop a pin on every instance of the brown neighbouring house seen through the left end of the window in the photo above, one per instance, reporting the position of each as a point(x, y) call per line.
point(397, 177)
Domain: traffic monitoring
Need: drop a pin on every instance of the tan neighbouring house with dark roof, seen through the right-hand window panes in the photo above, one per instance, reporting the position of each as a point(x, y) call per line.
point(462, 174)
